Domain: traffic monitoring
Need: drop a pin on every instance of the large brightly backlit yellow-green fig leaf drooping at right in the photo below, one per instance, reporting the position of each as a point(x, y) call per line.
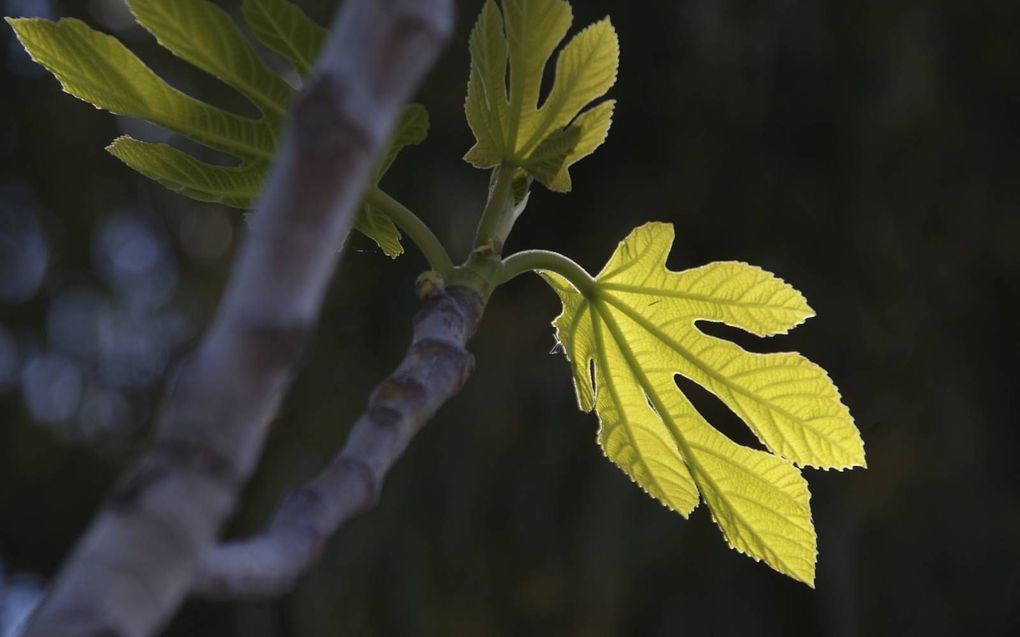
point(635, 332)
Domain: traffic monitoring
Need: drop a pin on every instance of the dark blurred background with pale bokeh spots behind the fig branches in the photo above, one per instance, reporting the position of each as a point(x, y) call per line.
point(865, 152)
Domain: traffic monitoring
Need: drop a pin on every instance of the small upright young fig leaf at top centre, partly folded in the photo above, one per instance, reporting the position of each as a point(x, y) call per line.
point(507, 121)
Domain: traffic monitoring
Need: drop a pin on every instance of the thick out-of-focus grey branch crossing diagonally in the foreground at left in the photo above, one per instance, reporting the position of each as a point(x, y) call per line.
point(136, 563)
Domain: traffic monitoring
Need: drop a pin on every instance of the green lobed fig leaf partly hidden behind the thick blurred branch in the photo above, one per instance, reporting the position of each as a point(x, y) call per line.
point(99, 70)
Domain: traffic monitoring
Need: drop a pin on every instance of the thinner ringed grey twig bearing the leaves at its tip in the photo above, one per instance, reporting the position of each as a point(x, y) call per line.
point(434, 370)
